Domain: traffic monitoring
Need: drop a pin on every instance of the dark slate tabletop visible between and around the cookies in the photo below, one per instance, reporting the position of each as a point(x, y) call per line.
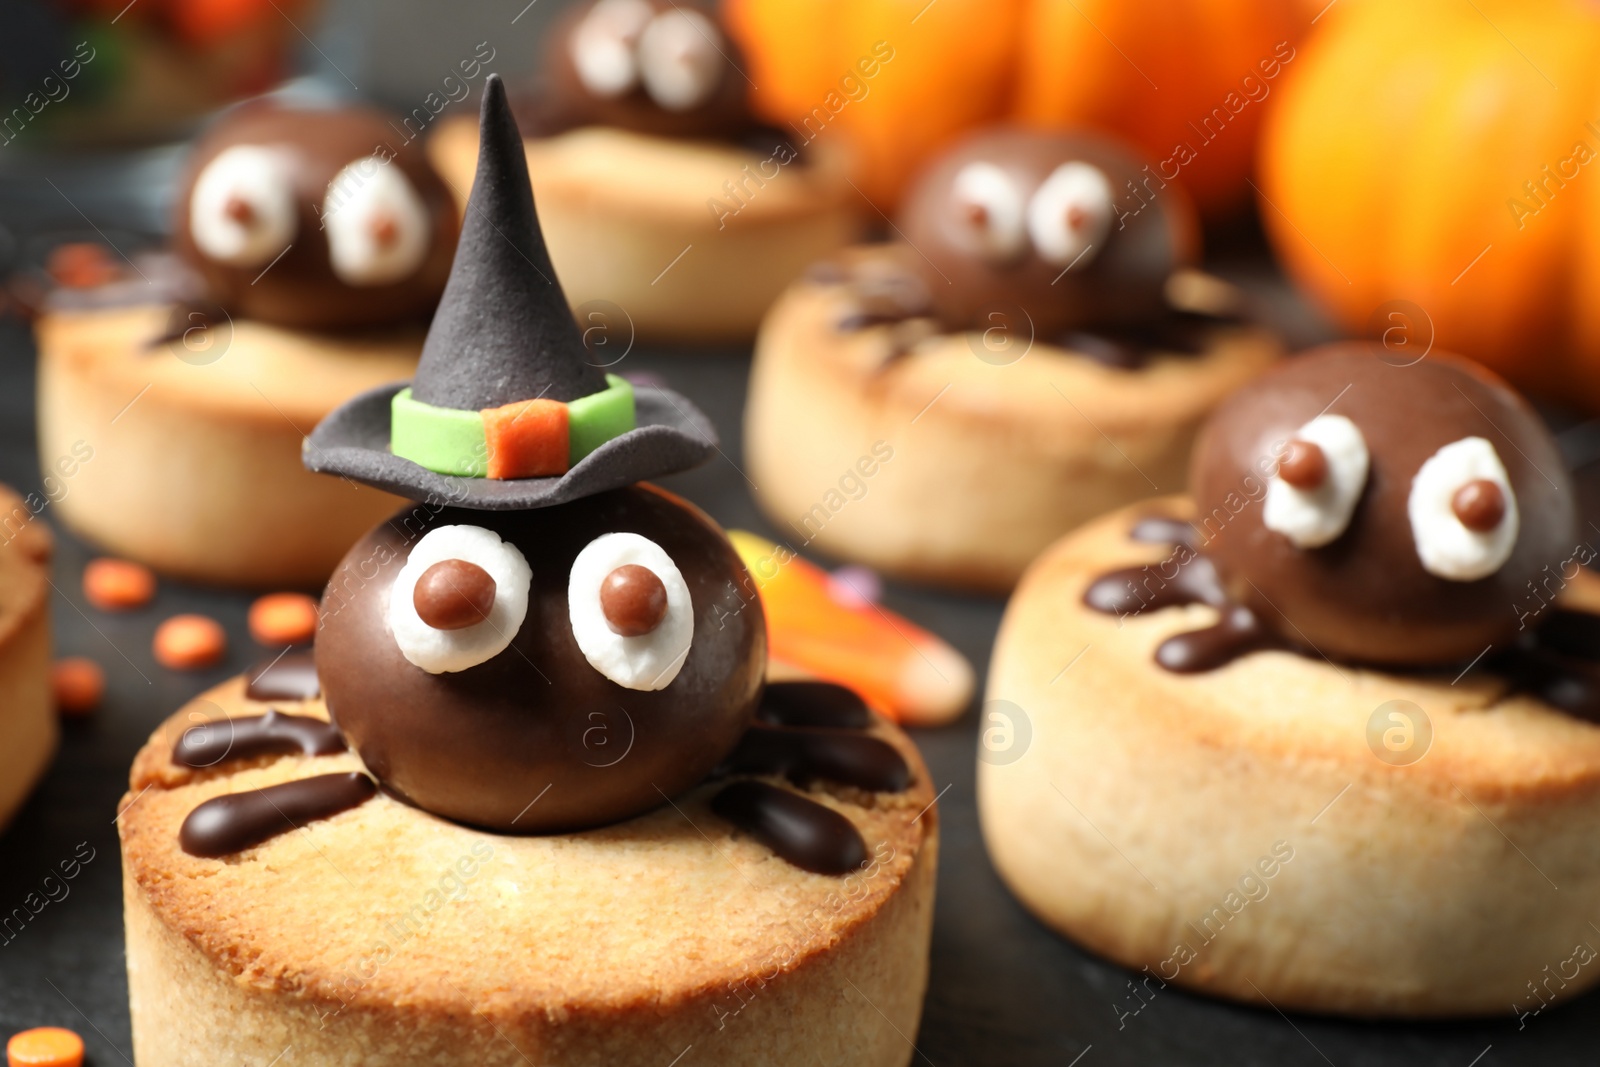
point(1004, 989)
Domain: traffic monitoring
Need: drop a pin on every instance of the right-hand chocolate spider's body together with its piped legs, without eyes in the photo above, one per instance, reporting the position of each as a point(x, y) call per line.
point(1366, 596)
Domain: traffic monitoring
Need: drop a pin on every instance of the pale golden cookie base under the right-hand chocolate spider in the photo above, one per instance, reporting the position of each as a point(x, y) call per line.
point(1145, 797)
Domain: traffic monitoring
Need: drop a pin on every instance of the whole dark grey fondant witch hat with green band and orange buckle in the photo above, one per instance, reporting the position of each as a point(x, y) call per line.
point(506, 412)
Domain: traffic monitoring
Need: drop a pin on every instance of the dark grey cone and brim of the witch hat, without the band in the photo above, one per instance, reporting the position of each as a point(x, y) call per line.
point(505, 334)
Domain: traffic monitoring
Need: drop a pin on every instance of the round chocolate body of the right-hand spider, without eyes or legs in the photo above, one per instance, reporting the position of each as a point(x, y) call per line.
point(1366, 597)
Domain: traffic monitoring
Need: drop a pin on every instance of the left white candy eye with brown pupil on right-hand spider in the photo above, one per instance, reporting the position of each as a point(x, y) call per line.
point(1319, 482)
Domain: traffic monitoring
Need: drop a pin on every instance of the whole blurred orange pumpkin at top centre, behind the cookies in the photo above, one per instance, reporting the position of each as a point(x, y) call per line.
point(1185, 81)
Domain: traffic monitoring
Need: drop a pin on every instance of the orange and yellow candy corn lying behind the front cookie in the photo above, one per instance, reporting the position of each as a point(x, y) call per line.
point(902, 669)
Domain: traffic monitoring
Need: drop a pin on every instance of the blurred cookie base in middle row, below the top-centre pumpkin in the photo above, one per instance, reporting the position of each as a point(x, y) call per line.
point(990, 463)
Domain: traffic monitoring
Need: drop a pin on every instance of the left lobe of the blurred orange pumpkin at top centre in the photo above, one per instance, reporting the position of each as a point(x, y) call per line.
point(900, 79)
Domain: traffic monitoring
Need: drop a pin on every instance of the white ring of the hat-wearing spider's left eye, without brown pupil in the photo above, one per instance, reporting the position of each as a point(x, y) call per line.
point(444, 650)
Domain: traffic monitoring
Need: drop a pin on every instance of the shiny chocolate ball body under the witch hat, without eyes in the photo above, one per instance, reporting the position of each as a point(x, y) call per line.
point(538, 722)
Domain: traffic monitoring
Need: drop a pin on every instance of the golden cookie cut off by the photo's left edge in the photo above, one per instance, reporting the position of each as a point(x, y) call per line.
point(28, 716)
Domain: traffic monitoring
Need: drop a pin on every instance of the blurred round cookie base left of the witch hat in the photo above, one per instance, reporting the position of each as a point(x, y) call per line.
point(196, 468)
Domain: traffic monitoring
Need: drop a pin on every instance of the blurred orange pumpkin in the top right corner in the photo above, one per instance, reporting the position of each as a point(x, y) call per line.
point(1423, 153)
